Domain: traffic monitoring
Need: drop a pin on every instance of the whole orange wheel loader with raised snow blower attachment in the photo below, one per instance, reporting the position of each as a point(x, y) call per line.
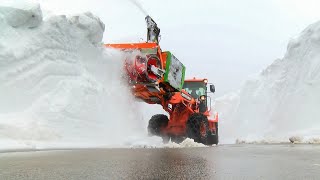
point(158, 77)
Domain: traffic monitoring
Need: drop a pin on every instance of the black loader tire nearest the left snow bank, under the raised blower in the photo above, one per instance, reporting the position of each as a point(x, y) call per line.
point(157, 122)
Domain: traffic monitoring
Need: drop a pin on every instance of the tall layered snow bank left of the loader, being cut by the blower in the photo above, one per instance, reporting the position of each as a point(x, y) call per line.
point(58, 86)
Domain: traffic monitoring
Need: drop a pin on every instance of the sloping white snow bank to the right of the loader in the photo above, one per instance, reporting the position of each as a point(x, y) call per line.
point(283, 101)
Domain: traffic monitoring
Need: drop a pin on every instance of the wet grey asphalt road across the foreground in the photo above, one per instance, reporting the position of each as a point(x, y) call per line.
point(220, 162)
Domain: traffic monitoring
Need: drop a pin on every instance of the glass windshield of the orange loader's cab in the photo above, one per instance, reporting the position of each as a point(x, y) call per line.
point(195, 89)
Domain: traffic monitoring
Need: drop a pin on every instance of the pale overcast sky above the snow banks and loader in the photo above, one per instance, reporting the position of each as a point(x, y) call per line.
point(224, 40)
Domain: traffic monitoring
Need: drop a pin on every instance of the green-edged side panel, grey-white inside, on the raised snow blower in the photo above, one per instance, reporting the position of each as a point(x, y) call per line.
point(175, 72)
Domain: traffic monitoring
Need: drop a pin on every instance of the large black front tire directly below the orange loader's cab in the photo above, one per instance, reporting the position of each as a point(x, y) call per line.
point(193, 127)
